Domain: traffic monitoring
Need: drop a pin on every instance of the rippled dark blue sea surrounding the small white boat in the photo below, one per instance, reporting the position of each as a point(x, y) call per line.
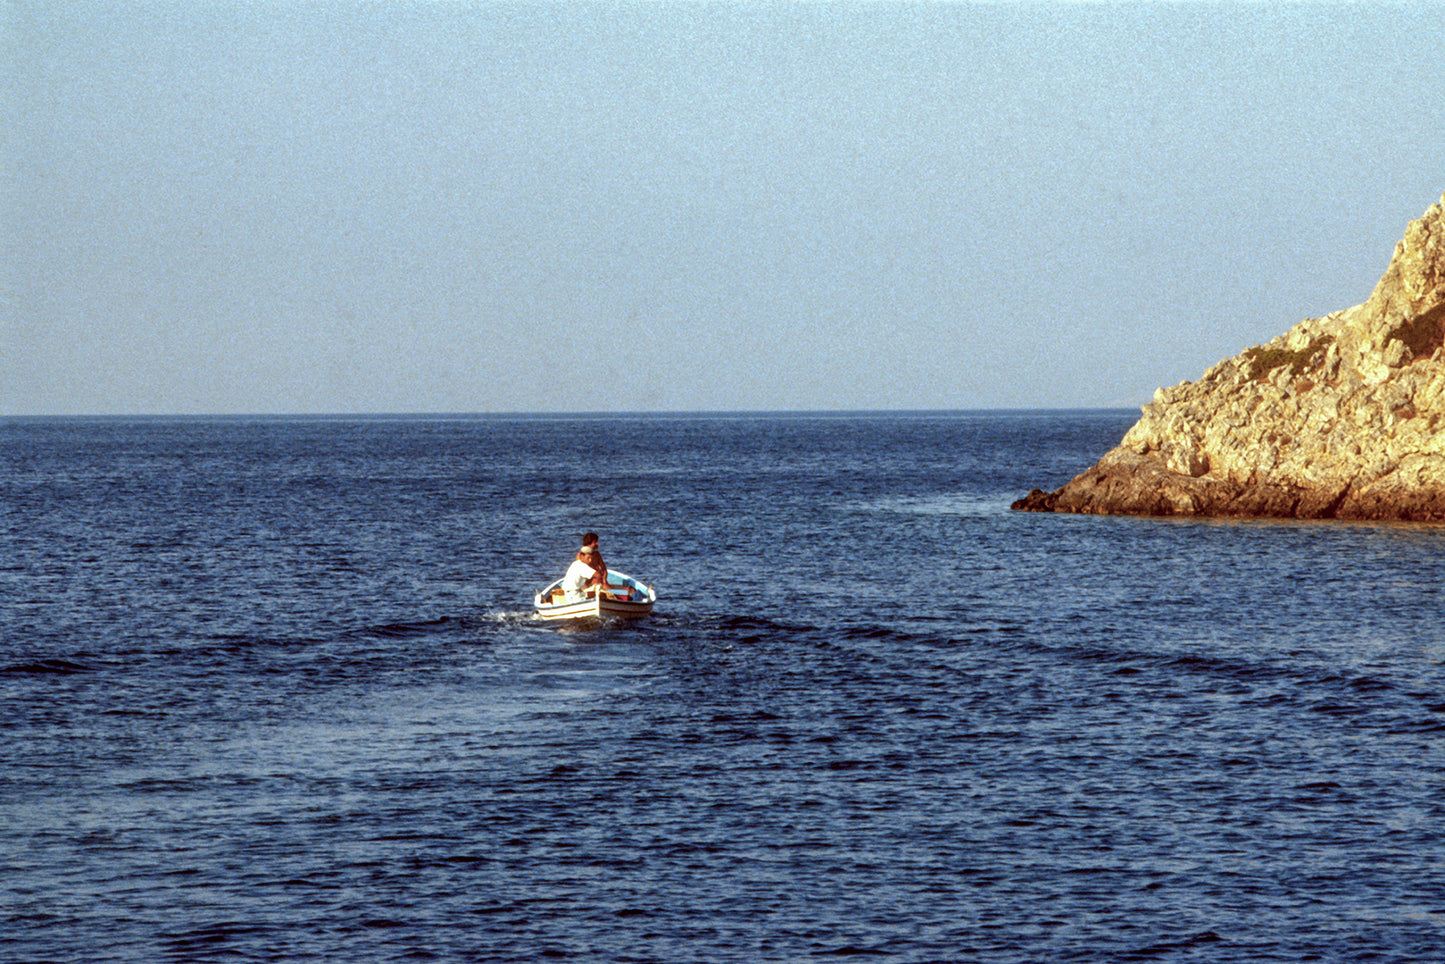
point(272, 693)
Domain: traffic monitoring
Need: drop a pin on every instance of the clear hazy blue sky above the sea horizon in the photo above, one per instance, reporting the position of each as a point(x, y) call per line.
point(676, 207)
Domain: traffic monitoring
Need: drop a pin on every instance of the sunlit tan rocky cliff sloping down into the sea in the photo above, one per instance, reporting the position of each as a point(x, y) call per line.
point(1340, 418)
